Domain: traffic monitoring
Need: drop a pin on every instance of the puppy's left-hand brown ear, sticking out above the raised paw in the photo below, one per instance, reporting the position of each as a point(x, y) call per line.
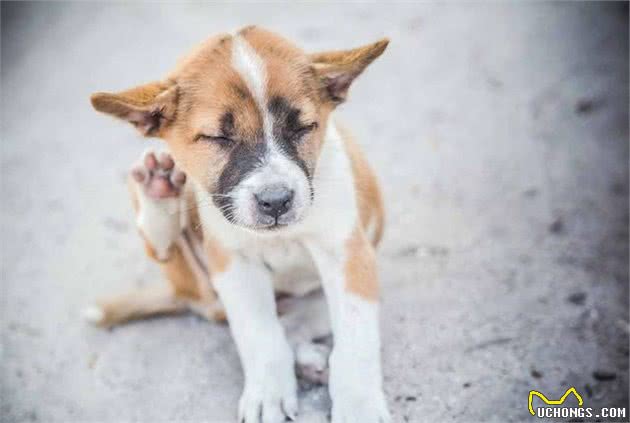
point(150, 107)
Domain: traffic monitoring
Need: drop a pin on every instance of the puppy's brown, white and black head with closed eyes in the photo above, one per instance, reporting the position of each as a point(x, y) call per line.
point(244, 116)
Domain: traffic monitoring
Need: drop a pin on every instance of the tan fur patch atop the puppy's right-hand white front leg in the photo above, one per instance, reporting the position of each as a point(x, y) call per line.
point(360, 268)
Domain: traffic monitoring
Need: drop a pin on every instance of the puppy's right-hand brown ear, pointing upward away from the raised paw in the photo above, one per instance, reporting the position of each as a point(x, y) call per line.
point(337, 69)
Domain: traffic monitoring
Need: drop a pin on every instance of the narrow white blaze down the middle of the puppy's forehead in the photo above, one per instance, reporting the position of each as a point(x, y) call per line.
point(252, 69)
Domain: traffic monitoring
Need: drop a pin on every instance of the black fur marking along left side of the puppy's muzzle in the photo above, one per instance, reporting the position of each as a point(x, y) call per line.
point(244, 158)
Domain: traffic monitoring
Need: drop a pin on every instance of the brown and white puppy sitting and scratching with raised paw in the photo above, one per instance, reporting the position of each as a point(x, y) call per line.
point(259, 189)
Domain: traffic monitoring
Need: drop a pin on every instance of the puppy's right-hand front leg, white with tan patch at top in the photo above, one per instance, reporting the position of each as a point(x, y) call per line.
point(349, 277)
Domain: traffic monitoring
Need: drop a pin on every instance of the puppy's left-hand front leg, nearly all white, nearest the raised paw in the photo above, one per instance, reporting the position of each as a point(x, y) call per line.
point(270, 392)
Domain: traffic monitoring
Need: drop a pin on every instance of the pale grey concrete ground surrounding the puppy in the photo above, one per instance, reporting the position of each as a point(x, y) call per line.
point(499, 131)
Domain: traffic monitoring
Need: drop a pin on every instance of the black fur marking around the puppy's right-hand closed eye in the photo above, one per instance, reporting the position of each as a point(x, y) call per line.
point(286, 126)
